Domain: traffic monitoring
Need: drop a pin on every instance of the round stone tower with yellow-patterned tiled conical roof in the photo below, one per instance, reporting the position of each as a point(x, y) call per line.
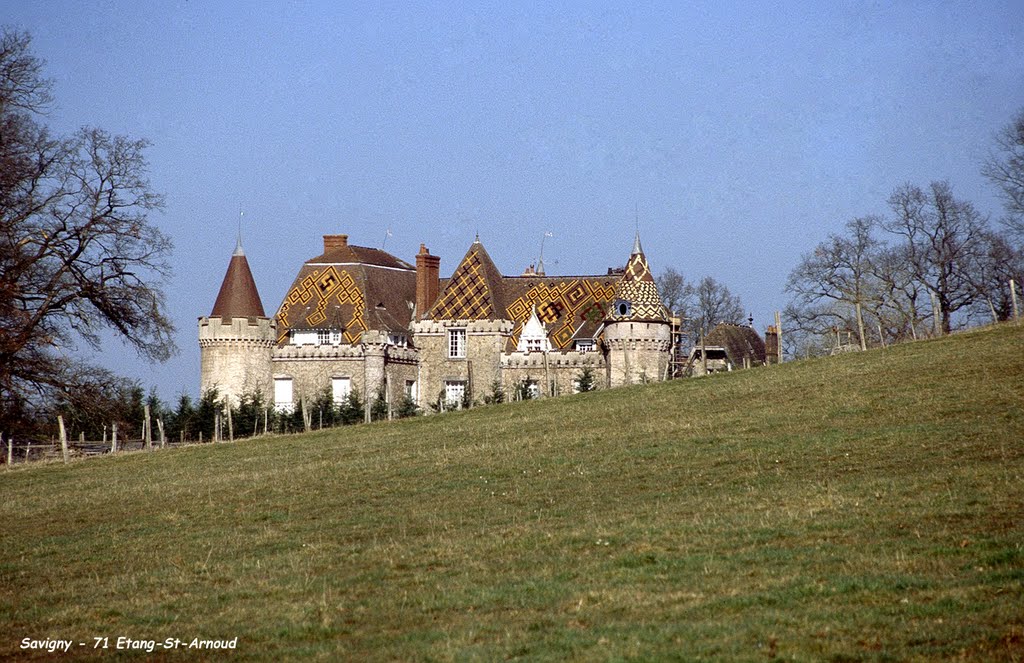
point(637, 336)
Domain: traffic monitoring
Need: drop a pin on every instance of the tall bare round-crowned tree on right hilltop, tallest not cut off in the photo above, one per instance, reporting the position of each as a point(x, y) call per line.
point(944, 239)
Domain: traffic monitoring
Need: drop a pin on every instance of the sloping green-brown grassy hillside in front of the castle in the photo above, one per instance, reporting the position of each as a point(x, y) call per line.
point(863, 508)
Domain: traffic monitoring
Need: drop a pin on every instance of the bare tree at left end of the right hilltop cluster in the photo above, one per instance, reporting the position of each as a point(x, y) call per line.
point(839, 271)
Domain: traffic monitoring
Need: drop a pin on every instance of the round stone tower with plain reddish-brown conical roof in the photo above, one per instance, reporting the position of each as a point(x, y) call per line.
point(237, 340)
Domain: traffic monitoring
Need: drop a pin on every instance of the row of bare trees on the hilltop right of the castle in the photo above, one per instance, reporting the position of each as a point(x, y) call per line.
point(932, 264)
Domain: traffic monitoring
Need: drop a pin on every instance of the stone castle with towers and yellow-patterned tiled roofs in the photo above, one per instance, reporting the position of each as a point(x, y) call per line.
point(358, 318)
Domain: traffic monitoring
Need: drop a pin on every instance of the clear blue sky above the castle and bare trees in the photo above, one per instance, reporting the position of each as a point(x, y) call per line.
point(741, 135)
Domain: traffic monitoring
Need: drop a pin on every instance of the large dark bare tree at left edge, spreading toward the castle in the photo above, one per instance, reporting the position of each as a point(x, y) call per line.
point(78, 254)
